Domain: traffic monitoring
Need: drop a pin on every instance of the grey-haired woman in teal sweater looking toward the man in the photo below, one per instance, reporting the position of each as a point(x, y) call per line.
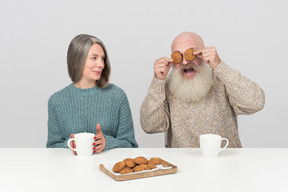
point(90, 102)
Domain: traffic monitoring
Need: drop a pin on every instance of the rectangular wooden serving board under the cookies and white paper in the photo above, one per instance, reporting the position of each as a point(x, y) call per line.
point(141, 175)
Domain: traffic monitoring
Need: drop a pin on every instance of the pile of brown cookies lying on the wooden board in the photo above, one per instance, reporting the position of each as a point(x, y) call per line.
point(137, 164)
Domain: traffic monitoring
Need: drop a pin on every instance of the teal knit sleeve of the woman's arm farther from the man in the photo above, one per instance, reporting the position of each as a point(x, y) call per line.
point(54, 136)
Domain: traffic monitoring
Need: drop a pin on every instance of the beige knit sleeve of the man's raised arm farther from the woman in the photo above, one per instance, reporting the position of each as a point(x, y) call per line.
point(245, 96)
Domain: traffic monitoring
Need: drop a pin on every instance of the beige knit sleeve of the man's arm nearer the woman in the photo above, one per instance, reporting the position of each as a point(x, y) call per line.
point(154, 112)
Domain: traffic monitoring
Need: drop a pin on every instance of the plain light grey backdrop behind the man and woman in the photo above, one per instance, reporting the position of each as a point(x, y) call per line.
point(249, 35)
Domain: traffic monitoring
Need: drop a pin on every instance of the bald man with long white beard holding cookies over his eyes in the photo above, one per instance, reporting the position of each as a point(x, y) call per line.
point(199, 96)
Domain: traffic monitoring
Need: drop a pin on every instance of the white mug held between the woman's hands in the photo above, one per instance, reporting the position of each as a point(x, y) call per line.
point(84, 143)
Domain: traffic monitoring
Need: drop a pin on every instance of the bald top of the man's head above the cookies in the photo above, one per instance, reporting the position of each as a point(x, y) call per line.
point(187, 40)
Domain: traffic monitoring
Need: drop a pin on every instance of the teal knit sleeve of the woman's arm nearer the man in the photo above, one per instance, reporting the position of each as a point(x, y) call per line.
point(125, 137)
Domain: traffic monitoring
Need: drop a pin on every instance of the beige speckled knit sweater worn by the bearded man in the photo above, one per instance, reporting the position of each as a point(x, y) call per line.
point(231, 94)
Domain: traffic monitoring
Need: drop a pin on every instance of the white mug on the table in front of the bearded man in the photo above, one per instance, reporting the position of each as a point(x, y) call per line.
point(210, 144)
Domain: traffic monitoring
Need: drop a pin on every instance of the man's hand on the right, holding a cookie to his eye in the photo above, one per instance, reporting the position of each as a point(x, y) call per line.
point(209, 55)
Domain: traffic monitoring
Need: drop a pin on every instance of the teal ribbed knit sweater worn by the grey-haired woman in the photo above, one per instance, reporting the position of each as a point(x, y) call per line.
point(74, 110)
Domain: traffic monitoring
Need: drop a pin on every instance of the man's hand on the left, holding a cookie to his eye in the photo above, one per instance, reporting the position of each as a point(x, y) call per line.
point(162, 67)
